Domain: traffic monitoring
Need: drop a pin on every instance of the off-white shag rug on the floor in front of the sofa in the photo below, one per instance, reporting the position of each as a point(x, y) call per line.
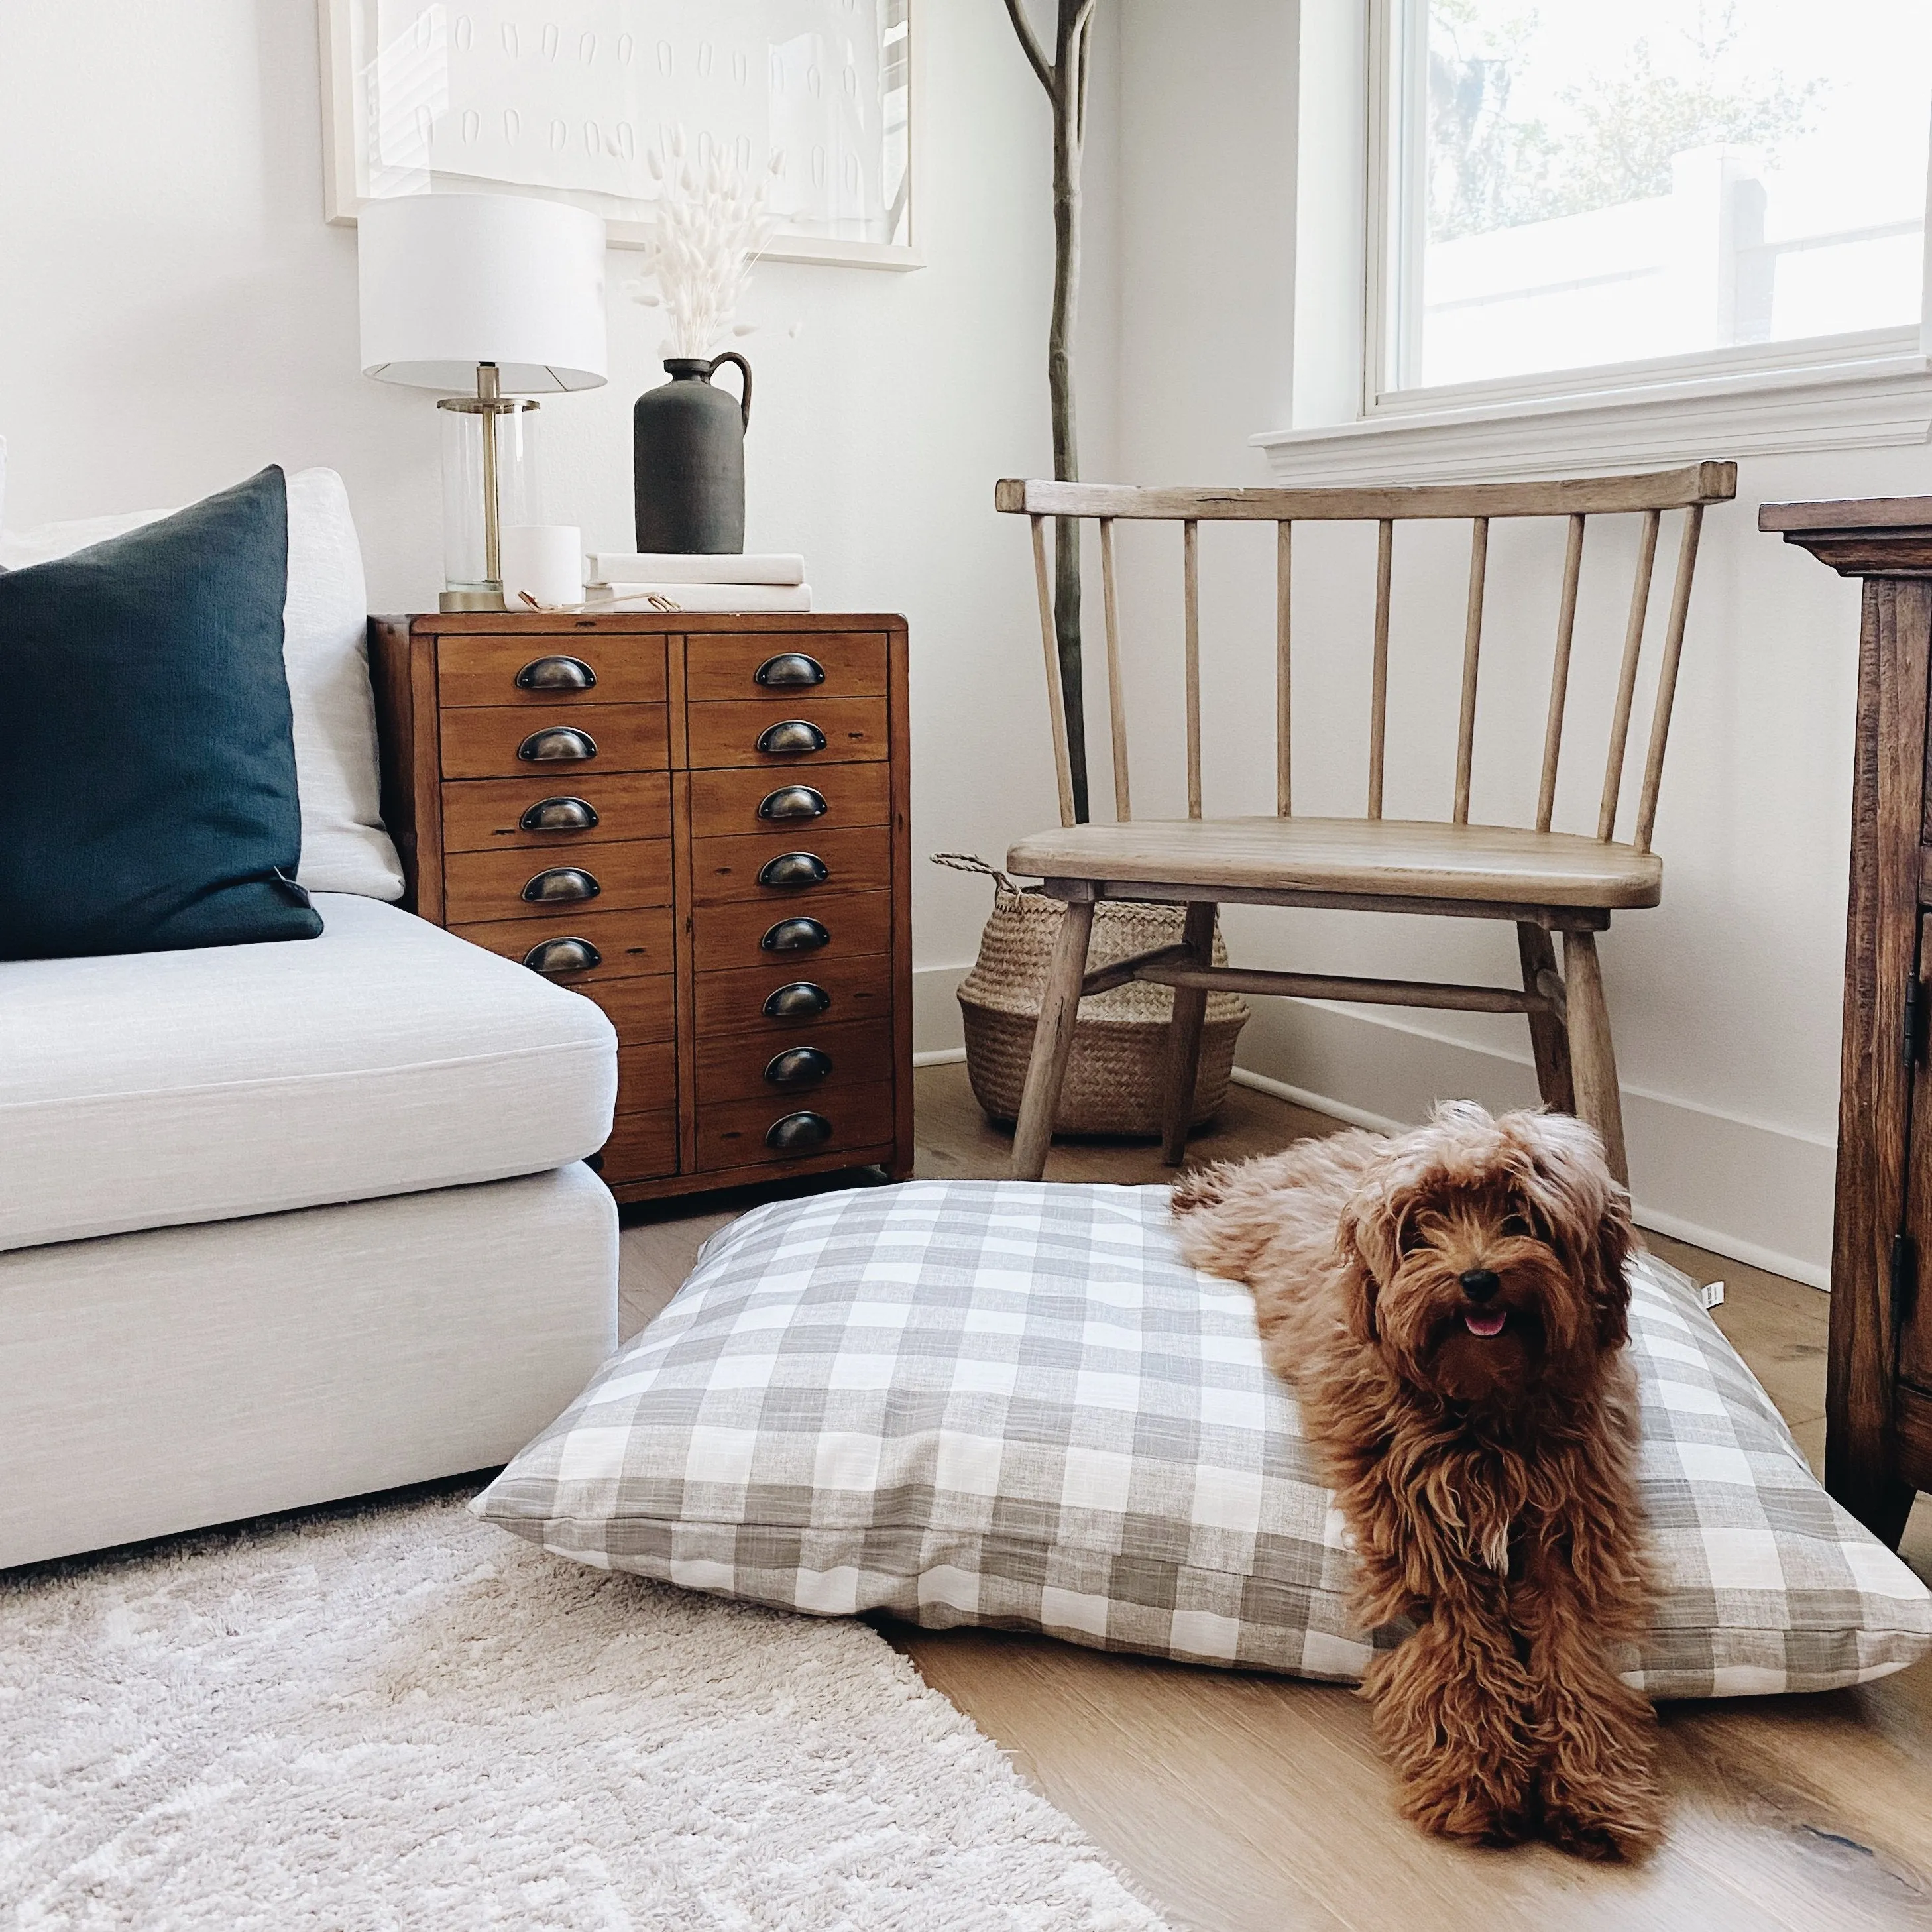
point(405, 1719)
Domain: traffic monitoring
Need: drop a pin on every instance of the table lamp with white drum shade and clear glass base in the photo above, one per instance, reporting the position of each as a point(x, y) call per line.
point(499, 297)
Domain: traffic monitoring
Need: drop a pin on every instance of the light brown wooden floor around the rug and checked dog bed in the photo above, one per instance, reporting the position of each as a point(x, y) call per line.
point(1245, 1804)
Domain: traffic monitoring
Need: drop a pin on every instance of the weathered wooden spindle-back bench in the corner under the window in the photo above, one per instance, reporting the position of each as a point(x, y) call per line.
point(1547, 882)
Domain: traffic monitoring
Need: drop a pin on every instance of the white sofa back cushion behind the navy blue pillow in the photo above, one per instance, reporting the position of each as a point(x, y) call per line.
point(326, 652)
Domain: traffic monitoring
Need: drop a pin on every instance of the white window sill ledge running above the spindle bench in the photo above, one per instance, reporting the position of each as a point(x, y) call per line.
point(1844, 407)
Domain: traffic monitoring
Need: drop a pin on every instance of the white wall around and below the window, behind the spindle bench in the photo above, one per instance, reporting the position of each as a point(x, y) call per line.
point(1726, 1000)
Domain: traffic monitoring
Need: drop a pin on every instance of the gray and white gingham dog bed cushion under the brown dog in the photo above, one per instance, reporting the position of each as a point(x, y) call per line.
point(1004, 1404)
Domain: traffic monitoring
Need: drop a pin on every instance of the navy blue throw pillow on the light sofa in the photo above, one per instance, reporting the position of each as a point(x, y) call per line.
point(148, 766)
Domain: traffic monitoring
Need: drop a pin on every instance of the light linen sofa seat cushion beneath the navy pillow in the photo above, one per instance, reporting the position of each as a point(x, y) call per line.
point(152, 1091)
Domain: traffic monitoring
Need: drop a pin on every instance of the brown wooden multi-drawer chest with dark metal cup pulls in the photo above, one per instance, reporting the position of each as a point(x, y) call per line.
point(700, 824)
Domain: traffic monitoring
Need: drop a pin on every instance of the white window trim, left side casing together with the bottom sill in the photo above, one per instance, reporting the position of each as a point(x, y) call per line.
point(1842, 393)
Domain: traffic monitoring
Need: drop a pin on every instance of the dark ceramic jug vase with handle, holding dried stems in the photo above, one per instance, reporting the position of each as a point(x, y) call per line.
point(689, 459)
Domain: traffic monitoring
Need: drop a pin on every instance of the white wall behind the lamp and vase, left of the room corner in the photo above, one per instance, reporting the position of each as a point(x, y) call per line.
point(175, 314)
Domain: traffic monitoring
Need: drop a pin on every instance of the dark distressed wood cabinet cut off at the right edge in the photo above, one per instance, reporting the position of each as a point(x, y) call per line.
point(1879, 1384)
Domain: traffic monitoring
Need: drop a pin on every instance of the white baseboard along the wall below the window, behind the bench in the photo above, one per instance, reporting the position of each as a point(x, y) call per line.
point(1746, 1189)
